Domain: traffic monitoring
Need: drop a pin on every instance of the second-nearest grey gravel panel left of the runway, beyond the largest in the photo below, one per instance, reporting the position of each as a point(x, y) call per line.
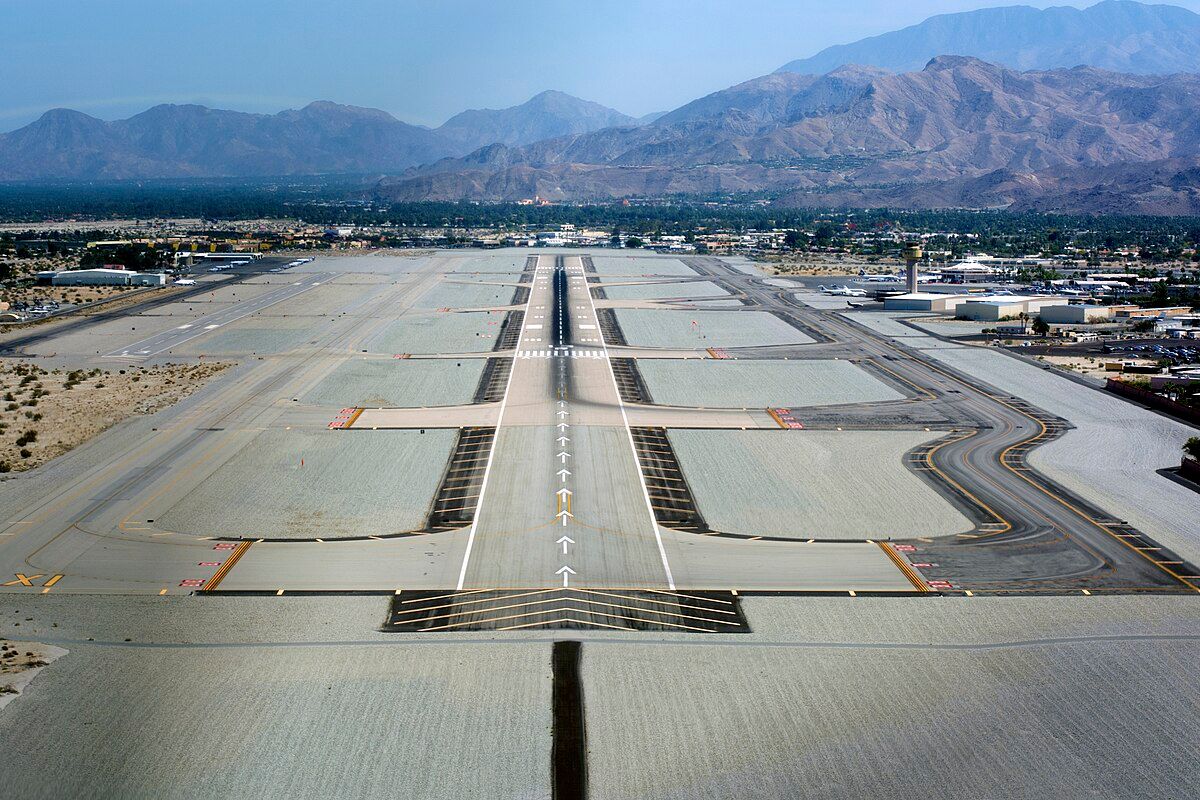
point(398, 383)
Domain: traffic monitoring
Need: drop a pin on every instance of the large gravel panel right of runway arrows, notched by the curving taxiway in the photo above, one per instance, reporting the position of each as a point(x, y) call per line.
point(795, 484)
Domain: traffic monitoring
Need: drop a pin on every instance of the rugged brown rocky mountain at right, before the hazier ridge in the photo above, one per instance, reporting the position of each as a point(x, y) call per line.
point(856, 133)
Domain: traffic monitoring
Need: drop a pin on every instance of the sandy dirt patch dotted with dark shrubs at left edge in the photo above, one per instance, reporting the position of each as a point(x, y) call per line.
point(46, 413)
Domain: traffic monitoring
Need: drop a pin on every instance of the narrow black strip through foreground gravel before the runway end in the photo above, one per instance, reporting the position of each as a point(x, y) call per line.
point(569, 768)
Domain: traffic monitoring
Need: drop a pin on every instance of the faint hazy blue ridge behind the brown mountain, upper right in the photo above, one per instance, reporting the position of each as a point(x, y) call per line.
point(1117, 35)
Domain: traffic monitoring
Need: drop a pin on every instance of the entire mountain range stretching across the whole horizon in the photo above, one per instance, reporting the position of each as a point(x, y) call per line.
point(956, 131)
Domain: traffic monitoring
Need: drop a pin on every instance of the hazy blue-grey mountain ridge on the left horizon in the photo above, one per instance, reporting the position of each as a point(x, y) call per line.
point(321, 139)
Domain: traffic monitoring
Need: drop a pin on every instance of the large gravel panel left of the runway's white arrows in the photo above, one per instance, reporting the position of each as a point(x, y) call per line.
point(352, 484)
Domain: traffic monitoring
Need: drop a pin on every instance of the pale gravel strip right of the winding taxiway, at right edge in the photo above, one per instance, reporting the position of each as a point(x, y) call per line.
point(1112, 456)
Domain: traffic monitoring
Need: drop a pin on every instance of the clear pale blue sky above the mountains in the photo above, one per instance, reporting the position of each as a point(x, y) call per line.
point(421, 61)
